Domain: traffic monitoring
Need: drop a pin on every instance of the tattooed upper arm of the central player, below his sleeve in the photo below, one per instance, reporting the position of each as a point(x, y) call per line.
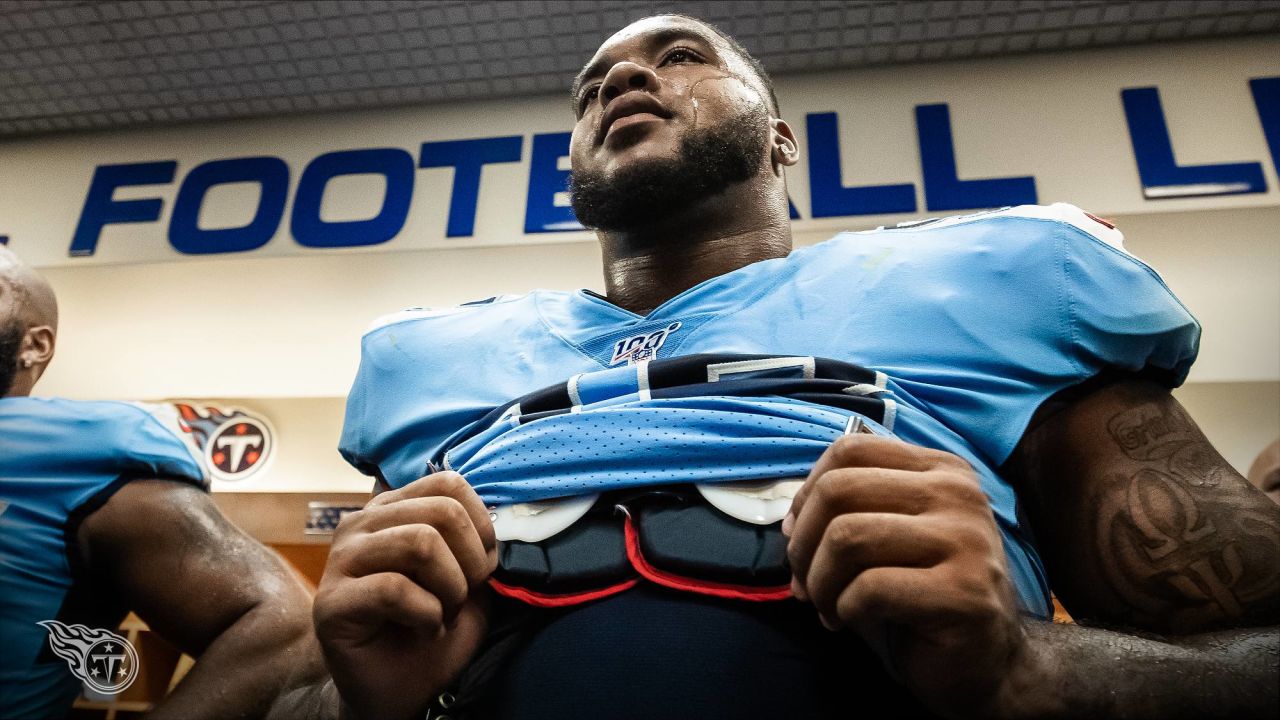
point(1141, 522)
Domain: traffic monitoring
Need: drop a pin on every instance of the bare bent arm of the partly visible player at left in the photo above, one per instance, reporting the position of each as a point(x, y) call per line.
point(217, 594)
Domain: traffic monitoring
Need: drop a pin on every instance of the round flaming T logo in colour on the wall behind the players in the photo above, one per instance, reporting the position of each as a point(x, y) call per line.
point(236, 444)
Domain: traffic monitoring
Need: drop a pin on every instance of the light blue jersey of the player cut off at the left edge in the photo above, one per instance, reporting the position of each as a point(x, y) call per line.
point(60, 462)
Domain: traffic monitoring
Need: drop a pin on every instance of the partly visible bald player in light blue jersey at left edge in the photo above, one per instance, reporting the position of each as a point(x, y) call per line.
point(104, 509)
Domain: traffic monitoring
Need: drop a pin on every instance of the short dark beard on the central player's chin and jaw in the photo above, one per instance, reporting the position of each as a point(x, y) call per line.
point(710, 162)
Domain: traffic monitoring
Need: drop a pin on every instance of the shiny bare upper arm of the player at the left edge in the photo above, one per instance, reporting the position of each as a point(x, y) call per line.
point(167, 550)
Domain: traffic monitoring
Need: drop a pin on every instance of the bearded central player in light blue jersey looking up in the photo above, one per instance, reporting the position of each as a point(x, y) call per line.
point(1014, 368)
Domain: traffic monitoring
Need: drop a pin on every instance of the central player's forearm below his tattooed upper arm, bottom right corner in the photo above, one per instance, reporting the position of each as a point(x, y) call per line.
point(1081, 672)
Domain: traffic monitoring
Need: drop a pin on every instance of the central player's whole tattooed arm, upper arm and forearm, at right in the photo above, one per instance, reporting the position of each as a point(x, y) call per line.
point(1148, 532)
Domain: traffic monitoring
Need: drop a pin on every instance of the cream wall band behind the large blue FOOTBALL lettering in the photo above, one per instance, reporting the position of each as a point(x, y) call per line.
point(1058, 119)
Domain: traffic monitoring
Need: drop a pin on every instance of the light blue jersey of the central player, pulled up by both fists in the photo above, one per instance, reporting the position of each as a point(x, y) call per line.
point(947, 334)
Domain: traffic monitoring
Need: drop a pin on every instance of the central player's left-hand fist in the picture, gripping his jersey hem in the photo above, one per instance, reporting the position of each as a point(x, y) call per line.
point(401, 610)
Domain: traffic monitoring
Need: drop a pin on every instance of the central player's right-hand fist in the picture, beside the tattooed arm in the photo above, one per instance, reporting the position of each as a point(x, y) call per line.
point(899, 544)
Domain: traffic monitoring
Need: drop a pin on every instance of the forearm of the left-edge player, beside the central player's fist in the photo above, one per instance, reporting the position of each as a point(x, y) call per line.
point(263, 662)
